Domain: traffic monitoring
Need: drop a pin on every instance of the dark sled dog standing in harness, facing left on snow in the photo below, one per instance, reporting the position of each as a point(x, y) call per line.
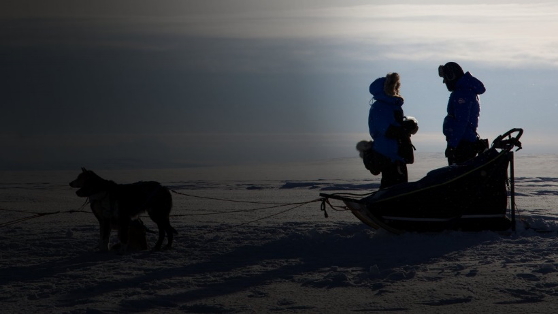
point(116, 206)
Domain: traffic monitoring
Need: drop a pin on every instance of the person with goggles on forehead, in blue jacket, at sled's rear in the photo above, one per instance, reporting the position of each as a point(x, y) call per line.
point(460, 124)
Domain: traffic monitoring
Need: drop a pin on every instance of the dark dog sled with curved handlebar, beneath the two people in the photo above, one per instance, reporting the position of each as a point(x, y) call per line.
point(469, 196)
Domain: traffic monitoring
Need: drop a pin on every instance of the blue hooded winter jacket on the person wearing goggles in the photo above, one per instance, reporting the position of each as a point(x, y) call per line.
point(463, 111)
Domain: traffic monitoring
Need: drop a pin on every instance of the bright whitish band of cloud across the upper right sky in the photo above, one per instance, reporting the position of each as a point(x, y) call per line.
point(503, 34)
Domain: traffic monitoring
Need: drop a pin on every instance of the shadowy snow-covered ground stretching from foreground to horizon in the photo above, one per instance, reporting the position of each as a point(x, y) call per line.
point(232, 257)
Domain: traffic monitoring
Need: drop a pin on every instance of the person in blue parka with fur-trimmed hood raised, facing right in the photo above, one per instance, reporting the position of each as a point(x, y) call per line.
point(385, 122)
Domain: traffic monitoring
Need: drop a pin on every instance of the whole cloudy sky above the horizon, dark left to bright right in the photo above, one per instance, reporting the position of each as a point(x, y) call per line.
point(127, 84)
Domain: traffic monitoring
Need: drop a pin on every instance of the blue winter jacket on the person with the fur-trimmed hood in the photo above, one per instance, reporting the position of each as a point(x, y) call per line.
point(381, 116)
